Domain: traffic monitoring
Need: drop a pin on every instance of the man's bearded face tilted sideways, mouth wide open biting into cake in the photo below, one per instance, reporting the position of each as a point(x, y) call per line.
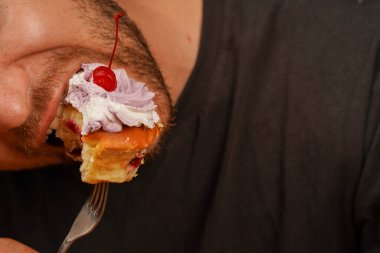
point(42, 44)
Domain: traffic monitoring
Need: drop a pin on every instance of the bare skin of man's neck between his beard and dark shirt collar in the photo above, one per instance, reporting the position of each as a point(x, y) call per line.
point(172, 29)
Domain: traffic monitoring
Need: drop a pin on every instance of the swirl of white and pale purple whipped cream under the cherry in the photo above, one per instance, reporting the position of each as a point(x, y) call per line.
point(130, 104)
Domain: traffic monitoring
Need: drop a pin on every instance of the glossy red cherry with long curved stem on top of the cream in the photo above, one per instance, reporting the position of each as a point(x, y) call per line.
point(102, 75)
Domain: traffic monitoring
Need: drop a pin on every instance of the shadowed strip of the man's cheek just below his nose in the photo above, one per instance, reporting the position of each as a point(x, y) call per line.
point(47, 155)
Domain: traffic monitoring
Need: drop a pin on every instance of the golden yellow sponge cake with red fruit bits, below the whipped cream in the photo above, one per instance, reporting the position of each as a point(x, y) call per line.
point(106, 157)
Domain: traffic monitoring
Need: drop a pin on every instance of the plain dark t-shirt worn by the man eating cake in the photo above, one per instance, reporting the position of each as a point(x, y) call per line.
point(275, 147)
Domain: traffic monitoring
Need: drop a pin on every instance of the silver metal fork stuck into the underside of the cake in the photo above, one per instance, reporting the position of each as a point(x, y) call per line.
point(88, 217)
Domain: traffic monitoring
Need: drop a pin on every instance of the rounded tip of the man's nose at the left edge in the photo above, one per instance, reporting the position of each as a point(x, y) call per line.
point(15, 104)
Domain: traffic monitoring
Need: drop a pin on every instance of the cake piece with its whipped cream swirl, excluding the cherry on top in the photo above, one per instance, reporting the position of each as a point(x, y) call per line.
point(109, 129)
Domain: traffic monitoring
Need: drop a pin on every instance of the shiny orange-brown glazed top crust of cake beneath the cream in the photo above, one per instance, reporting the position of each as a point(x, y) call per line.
point(130, 138)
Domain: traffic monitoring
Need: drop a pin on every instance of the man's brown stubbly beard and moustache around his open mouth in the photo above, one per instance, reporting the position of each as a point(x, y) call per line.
point(132, 53)
